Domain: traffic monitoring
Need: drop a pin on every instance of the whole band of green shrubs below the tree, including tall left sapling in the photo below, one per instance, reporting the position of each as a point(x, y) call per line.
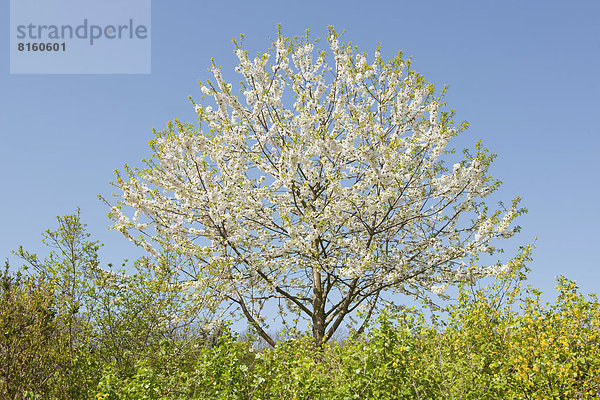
point(69, 330)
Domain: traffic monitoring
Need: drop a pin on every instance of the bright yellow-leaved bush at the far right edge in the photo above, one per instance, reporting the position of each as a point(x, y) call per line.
point(556, 349)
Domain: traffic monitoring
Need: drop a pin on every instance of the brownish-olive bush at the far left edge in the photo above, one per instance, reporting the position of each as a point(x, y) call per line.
point(40, 355)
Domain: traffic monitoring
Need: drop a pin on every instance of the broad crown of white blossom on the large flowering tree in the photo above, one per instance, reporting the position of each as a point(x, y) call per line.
point(323, 185)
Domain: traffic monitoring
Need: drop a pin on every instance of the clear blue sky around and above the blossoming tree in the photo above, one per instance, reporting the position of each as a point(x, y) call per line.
point(524, 74)
